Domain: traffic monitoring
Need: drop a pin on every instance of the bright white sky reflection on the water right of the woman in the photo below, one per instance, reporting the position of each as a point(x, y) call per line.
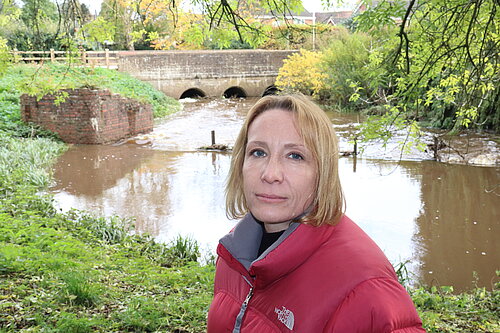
point(384, 201)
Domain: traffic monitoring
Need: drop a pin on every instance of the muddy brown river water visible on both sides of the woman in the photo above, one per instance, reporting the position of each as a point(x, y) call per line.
point(443, 218)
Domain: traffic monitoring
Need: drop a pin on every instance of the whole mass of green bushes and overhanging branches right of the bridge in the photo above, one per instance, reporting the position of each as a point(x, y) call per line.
point(429, 62)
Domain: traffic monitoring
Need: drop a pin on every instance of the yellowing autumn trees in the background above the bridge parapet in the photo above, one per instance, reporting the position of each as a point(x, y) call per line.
point(167, 24)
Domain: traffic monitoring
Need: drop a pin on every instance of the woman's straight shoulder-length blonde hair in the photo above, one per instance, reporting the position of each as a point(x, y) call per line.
point(318, 134)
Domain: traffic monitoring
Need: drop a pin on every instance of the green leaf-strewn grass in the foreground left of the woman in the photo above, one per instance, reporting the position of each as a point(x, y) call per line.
point(56, 274)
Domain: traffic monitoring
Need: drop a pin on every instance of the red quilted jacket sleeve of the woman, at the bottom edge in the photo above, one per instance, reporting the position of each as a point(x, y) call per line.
point(379, 305)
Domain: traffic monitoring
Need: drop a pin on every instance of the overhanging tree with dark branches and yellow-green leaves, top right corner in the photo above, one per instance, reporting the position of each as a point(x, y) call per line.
point(445, 60)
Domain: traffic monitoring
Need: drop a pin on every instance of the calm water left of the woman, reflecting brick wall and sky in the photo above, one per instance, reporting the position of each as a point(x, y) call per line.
point(167, 193)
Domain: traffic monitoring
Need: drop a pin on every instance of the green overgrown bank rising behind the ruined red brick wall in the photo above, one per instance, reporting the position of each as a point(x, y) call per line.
point(50, 78)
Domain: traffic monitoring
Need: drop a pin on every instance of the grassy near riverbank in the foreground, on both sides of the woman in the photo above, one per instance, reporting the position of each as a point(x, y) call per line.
point(79, 273)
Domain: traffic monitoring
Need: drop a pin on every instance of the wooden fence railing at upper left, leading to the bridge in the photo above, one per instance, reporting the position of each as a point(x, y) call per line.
point(104, 58)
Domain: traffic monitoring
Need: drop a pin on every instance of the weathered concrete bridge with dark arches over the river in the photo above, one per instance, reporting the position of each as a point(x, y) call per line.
point(229, 73)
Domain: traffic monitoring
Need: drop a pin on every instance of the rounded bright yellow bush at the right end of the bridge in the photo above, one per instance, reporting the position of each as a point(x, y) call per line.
point(301, 72)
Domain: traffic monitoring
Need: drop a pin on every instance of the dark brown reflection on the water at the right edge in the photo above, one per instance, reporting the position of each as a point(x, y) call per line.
point(458, 224)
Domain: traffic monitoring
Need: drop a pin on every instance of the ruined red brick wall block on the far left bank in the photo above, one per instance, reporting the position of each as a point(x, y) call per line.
point(89, 116)
